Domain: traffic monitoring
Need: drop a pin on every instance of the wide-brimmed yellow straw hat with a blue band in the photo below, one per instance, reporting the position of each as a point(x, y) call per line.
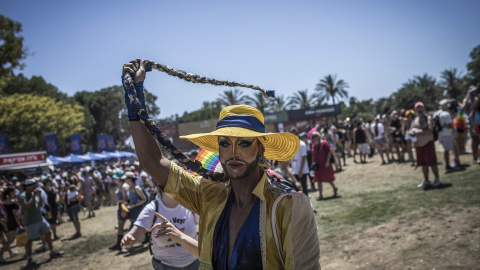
point(247, 122)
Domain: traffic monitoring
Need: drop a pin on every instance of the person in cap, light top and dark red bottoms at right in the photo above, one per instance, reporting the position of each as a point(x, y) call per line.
point(422, 130)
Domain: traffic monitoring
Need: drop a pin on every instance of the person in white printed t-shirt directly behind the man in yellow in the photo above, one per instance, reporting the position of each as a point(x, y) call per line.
point(174, 234)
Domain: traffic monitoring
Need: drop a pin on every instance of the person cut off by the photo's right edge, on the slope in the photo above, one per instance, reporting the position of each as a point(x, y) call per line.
point(467, 107)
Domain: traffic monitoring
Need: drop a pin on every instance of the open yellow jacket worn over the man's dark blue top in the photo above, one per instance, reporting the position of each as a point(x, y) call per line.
point(297, 229)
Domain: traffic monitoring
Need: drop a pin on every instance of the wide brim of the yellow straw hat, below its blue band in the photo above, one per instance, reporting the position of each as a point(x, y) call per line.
point(278, 146)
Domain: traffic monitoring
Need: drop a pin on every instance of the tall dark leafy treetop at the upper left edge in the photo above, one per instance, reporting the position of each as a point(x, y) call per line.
point(11, 46)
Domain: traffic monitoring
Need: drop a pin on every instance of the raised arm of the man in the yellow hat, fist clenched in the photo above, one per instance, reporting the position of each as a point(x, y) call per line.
point(146, 147)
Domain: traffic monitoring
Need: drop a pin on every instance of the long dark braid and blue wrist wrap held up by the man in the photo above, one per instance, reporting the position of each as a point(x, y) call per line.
point(137, 111)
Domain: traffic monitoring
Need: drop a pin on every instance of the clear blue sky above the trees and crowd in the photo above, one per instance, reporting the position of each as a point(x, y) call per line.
point(375, 46)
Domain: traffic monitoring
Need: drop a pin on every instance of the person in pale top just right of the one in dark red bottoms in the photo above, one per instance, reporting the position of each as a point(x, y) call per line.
point(445, 136)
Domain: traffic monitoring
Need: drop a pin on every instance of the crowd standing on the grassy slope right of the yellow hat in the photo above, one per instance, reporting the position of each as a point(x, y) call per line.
point(405, 136)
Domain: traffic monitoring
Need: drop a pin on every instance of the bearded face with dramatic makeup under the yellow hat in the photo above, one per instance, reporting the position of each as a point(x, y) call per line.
point(239, 156)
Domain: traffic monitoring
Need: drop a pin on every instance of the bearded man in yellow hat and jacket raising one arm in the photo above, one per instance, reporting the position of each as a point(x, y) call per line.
point(246, 222)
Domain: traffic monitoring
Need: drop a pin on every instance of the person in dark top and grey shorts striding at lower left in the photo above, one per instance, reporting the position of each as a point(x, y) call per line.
point(35, 225)
